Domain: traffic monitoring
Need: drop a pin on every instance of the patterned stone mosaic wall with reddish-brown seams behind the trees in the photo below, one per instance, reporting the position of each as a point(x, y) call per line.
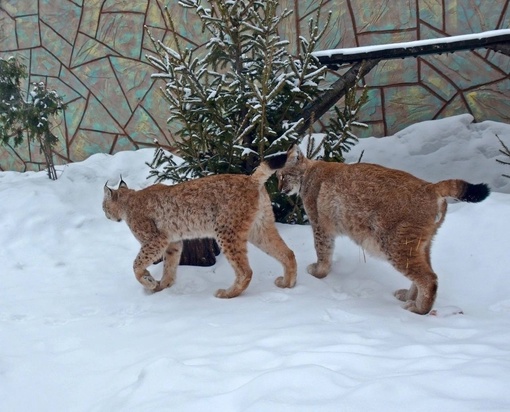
point(93, 52)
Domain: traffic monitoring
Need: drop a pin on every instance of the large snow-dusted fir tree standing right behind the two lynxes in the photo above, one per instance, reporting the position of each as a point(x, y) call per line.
point(238, 99)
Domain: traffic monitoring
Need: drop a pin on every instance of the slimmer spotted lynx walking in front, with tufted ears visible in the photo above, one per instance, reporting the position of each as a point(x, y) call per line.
point(233, 209)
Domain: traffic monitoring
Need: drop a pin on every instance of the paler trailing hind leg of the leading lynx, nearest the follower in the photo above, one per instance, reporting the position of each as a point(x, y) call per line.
point(266, 238)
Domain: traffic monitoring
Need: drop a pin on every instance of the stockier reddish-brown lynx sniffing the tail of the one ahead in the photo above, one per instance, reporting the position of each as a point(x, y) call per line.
point(389, 213)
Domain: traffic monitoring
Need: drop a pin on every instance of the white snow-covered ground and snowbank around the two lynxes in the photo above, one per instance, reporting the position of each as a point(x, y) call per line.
point(78, 333)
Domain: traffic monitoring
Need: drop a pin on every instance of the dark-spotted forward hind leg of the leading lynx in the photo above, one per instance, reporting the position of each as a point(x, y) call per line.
point(235, 250)
